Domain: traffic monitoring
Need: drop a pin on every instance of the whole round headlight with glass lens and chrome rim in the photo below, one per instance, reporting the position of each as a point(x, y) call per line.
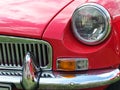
point(91, 23)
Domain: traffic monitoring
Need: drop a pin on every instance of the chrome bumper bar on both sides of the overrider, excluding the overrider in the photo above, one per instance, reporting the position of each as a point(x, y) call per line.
point(57, 80)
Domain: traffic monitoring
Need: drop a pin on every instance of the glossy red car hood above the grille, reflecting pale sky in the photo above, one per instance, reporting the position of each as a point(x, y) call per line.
point(28, 17)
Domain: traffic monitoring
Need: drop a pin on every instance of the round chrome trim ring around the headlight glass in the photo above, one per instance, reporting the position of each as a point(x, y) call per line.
point(107, 18)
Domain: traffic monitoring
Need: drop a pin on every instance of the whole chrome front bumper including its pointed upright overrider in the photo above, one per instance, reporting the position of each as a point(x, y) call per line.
point(33, 78)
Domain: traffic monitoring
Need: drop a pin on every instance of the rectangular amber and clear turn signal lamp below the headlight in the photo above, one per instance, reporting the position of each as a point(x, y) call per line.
point(72, 64)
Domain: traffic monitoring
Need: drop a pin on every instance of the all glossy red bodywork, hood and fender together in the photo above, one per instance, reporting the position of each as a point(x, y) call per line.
point(50, 20)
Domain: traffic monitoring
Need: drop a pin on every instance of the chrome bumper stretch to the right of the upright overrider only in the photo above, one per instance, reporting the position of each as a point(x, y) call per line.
point(80, 81)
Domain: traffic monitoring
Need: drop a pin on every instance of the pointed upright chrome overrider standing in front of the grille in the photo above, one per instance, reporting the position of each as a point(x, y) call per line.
point(31, 73)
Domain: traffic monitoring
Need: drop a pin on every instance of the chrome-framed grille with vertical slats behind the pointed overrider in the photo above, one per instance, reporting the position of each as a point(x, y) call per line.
point(13, 50)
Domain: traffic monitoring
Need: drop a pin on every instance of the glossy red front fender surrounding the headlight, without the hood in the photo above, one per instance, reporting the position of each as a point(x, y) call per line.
point(59, 34)
